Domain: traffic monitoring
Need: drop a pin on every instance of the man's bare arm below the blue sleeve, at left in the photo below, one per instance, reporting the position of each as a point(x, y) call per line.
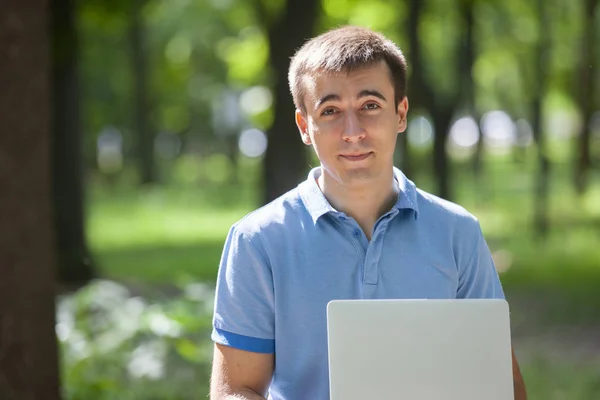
point(239, 374)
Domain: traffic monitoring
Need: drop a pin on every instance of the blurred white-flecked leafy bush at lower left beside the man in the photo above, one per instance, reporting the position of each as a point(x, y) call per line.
point(118, 344)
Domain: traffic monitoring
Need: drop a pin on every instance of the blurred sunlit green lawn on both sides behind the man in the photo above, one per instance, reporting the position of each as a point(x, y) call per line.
point(154, 234)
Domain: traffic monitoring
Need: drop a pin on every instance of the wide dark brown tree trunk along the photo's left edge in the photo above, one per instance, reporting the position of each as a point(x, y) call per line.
point(28, 351)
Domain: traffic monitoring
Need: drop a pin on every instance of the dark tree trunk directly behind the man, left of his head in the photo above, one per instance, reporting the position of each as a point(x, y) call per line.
point(286, 159)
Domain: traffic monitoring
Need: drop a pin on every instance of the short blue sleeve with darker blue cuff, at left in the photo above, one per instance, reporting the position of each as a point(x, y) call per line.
point(244, 315)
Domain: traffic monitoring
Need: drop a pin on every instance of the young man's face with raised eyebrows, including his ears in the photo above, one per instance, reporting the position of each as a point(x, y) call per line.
point(352, 122)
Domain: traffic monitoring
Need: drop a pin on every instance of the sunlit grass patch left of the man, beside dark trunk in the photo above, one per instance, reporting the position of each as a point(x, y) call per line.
point(159, 235)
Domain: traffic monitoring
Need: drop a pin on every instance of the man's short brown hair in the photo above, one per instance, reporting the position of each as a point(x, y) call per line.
point(343, 50)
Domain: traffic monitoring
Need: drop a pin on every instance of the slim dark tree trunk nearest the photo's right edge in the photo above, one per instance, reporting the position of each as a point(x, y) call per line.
point(586, 98)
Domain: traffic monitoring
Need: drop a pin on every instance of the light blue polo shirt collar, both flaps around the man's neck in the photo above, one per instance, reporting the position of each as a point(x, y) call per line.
point(317, 205)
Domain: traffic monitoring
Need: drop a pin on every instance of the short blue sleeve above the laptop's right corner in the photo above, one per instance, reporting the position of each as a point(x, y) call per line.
point(479, 277)
